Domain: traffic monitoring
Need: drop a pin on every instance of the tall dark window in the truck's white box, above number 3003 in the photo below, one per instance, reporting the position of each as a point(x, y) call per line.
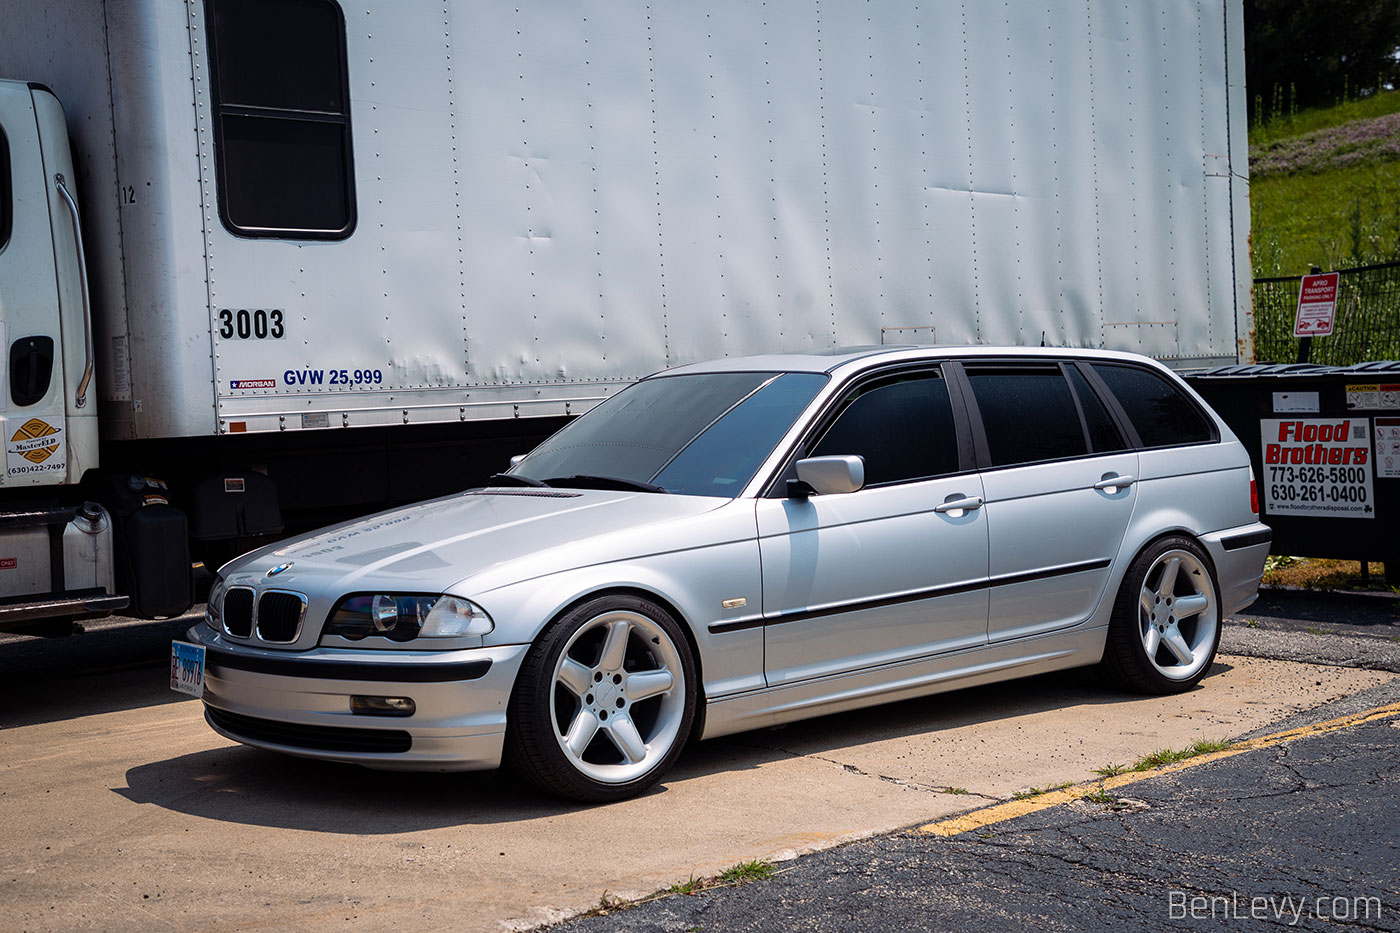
point(282, 118)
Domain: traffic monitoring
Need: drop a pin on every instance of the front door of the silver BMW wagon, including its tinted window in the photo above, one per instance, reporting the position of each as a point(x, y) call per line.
point(887, 574)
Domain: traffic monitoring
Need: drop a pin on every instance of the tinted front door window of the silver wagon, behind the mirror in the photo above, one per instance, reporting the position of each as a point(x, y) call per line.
point(904, 429)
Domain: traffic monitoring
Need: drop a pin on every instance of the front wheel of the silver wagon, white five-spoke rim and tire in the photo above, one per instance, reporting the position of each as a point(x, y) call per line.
point(604, 703)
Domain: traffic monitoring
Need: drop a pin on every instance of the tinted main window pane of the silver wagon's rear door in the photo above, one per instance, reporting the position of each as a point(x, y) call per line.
point(1027, 413)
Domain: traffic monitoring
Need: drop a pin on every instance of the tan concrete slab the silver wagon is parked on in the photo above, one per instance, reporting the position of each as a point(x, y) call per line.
point(122, 810)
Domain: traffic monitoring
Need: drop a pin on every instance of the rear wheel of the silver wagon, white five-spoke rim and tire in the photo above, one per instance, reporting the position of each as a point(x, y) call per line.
point(1167, 620)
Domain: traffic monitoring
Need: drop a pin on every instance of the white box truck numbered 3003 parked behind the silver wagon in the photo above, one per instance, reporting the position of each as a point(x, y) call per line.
point(272, 263)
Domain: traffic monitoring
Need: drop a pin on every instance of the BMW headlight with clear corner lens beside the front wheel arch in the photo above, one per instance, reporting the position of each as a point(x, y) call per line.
point(402, 617)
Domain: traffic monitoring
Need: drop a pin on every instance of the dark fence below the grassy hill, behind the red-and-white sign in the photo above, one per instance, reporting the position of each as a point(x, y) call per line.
point(1367, 326)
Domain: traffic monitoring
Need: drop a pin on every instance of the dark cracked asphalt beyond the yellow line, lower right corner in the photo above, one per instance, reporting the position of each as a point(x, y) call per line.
point(1297, 836)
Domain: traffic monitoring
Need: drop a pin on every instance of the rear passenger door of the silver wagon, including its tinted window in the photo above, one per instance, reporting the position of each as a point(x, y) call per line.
point(1060, 485)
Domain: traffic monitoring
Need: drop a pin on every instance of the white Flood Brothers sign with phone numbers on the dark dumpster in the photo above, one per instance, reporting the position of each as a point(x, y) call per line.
point(1318, 467)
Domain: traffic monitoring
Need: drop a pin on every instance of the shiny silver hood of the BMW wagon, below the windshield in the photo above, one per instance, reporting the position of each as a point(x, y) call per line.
point(439, 546)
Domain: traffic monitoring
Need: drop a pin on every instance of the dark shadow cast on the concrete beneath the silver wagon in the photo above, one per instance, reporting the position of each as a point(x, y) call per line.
point(236, 784)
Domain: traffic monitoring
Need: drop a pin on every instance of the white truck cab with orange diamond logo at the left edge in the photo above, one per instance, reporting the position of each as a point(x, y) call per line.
point(57, 555)
